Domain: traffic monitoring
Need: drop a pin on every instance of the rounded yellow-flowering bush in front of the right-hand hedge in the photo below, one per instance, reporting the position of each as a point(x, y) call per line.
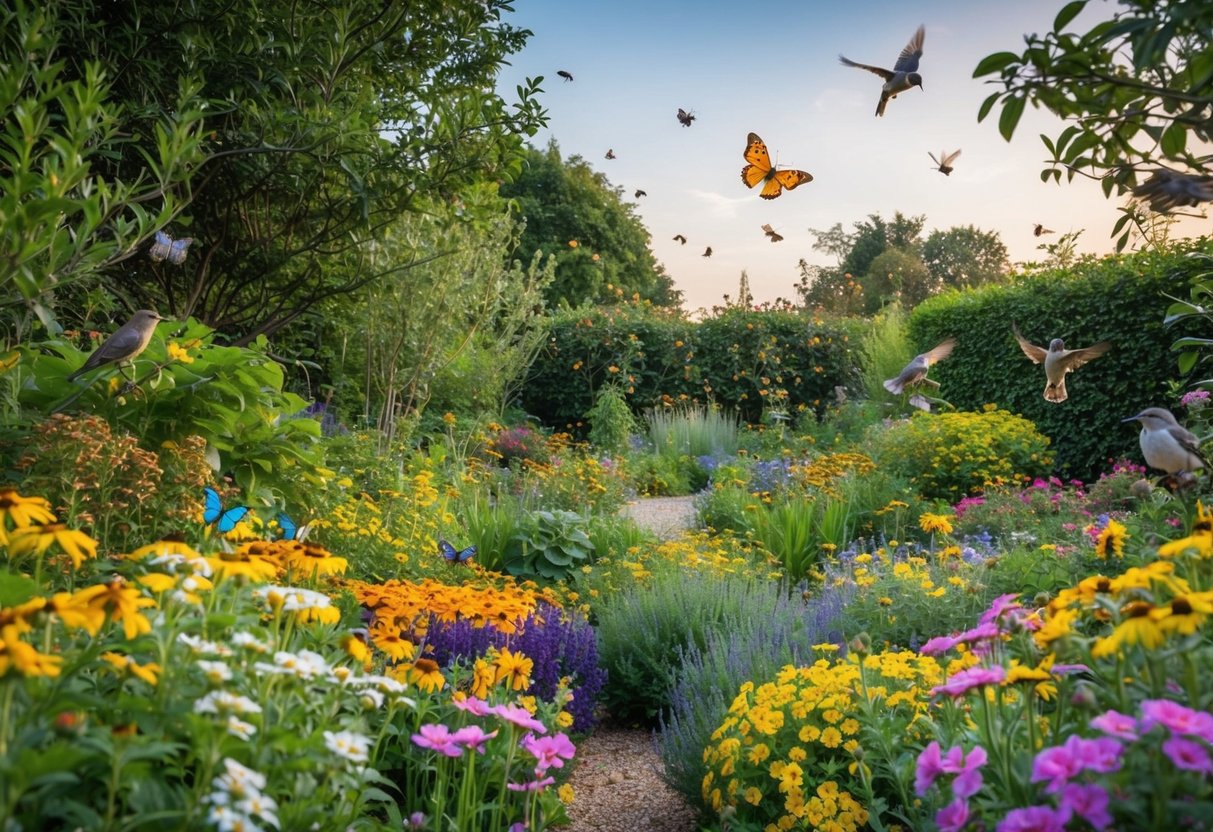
point(948, 457)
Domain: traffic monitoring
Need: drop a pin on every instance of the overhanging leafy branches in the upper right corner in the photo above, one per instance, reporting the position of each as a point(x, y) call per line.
point(1134, 90)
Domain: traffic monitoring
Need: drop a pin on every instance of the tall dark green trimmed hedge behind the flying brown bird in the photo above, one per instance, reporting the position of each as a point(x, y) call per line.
point(1117, 299)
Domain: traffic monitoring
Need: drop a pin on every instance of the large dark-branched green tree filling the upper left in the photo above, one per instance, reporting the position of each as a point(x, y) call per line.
point(324, 124)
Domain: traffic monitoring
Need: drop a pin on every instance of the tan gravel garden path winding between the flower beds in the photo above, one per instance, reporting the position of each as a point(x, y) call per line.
point(618, 784)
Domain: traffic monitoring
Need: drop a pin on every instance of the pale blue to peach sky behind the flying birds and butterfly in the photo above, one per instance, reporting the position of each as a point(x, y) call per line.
point(773, 70)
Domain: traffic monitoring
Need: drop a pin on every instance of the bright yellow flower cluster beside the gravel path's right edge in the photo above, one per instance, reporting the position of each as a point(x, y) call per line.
point(781, 756)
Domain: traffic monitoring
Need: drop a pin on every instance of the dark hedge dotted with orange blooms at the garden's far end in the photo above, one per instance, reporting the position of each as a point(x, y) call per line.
point(743, 361)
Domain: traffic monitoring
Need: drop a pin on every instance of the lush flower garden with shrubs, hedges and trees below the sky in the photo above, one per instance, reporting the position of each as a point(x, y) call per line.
point(339, 538)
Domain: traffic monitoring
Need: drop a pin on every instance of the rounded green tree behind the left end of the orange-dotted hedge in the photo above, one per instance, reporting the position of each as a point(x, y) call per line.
point(576, 215)
